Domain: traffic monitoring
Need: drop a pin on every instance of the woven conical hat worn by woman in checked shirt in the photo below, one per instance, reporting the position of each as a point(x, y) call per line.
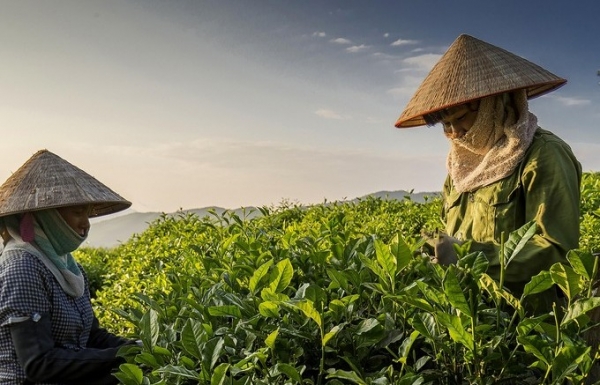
point(47, 181)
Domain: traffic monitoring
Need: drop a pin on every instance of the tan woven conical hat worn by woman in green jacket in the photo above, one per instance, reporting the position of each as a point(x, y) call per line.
point(472, 69)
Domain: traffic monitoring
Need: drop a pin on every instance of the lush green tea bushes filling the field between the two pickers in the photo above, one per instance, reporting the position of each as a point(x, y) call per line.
point(338, 293)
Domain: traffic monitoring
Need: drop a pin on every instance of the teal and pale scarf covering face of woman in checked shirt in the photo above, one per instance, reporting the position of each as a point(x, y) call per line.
point(53, 241)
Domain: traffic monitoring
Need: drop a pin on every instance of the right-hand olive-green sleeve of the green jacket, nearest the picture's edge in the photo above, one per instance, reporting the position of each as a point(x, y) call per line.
point(550, 181)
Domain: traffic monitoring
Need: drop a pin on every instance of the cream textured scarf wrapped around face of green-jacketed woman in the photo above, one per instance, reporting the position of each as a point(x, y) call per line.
point(494, 146)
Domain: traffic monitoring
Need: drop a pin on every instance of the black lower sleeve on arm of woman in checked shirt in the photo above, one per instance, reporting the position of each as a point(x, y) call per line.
point(42, 361)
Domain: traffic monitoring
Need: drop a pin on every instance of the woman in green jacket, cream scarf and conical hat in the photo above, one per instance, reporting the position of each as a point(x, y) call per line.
point(503, 169)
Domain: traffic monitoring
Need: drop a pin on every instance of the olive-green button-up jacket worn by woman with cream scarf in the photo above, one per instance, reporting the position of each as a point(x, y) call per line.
point(545, 187)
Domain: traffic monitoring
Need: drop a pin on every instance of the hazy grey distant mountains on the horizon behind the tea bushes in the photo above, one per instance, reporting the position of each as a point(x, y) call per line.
point(116, 229)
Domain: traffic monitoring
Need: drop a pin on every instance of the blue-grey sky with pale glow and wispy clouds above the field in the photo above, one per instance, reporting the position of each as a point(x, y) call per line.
point(186, 104)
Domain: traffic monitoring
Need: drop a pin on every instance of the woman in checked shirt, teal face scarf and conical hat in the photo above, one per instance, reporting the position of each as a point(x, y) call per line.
point(48, 331)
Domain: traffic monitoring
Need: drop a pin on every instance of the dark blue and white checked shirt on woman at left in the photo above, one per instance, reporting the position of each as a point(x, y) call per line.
point(27, 287)
